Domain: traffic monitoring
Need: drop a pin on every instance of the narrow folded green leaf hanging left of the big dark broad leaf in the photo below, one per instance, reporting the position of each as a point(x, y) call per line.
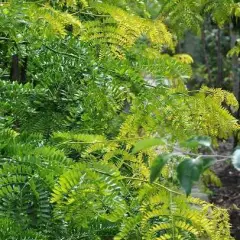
point(157, 166)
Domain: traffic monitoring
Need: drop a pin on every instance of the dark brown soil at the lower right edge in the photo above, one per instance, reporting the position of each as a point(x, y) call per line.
point(228, 196)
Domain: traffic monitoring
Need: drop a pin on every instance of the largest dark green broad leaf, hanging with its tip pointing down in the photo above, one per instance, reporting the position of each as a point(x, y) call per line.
point(190, 170)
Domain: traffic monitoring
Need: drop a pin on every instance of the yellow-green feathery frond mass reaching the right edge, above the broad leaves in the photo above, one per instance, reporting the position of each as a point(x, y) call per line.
point(187, 114)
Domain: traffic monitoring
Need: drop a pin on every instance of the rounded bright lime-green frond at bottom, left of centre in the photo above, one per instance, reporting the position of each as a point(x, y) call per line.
point(88, 193)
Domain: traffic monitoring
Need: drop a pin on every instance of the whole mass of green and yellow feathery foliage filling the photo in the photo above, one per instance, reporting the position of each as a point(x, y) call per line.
point(99, 136)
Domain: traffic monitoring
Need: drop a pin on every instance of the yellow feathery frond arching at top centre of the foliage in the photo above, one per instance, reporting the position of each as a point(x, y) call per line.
point(121, 30)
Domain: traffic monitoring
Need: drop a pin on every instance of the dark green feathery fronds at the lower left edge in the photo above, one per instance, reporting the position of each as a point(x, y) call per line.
point(27, 175)
